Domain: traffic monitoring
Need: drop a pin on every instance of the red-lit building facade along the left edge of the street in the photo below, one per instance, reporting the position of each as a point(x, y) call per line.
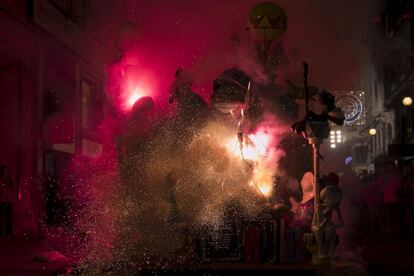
point(52, 102)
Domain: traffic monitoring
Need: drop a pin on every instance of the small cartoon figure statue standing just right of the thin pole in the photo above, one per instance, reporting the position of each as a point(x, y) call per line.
point(325, 232)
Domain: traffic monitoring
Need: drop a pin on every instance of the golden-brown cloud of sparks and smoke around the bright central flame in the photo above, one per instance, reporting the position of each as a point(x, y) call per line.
point(136, 211)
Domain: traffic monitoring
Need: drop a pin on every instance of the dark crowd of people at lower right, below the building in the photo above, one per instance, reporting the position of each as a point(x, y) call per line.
point(386, 200)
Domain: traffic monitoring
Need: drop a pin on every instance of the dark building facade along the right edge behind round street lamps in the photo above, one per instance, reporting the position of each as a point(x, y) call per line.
point(389, 76)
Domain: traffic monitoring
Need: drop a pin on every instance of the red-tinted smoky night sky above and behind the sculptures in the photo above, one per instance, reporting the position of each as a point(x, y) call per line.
point(196, 34)
